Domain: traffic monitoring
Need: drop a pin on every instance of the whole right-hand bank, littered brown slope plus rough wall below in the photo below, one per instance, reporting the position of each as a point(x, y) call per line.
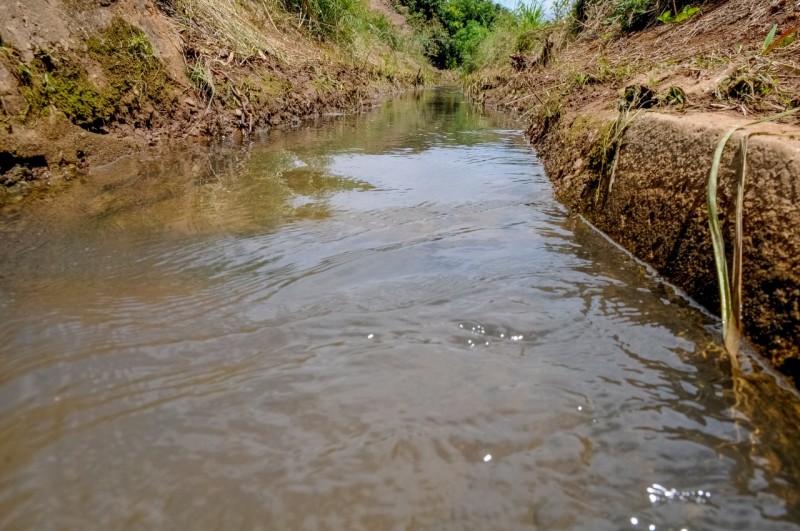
point(626, 126)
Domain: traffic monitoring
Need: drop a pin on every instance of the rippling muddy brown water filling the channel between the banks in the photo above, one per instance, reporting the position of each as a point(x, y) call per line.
point(377, 322)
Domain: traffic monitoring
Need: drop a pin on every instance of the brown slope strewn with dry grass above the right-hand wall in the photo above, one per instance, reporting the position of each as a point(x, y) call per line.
point(713, 61)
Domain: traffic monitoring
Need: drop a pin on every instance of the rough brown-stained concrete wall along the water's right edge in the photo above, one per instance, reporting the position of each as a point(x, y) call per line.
point(655, 206)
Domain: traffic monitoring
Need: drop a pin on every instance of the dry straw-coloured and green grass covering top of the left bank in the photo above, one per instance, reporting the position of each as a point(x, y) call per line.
point(254, 29)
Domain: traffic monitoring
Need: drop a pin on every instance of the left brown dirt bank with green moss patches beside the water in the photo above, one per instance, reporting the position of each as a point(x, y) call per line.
point(85, 82)
